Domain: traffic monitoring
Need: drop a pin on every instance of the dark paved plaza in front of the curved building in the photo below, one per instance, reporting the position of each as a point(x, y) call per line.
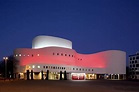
point(68, 86)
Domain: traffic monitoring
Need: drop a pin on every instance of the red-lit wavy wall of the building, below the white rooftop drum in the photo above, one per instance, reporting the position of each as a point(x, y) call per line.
point(112, 61)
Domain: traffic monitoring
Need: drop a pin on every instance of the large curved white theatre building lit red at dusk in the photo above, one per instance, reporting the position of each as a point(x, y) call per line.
point(52, 58)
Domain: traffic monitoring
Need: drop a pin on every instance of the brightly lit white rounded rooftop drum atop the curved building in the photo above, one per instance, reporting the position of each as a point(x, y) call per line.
point(50, 41)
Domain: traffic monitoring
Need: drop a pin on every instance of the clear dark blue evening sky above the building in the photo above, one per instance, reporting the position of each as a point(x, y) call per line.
point(92, 25)
